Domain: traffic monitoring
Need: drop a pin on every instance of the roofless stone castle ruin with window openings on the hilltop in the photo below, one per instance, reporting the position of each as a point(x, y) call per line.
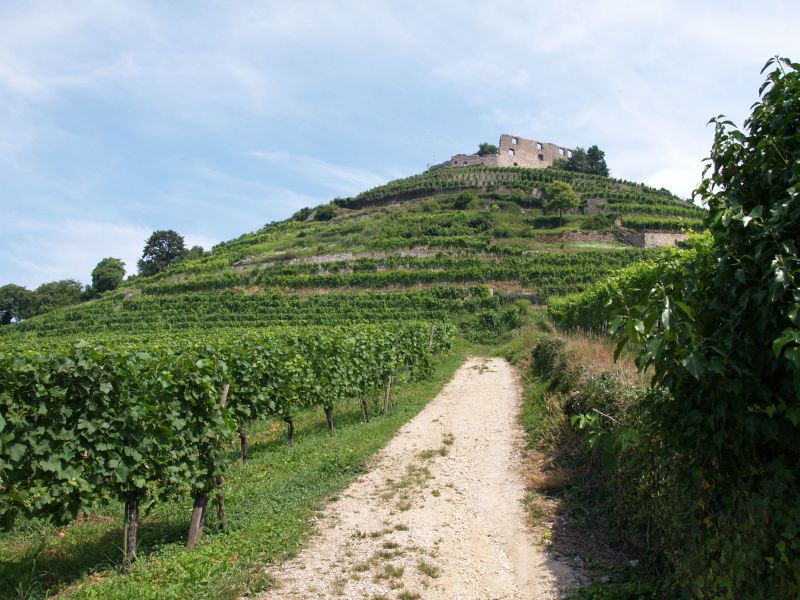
point(514, 151)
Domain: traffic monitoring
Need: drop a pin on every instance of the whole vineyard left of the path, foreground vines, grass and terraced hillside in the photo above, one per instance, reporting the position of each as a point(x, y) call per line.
point(152, 403)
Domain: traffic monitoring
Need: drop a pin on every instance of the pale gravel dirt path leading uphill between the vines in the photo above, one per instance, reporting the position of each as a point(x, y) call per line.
point(439, 515)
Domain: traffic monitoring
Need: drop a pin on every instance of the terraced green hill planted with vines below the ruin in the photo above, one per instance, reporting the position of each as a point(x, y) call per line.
point(449, 243)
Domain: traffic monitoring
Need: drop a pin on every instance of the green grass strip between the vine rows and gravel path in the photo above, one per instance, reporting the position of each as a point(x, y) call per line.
point(269, 504)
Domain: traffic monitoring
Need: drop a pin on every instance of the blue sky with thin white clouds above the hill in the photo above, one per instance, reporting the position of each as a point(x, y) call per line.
point(215, 118)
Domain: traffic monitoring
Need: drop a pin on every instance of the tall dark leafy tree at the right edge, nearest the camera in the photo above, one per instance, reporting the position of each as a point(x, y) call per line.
point(721, 331)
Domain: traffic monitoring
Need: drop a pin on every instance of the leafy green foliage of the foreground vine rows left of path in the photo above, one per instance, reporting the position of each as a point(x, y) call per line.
point(125, 419)
